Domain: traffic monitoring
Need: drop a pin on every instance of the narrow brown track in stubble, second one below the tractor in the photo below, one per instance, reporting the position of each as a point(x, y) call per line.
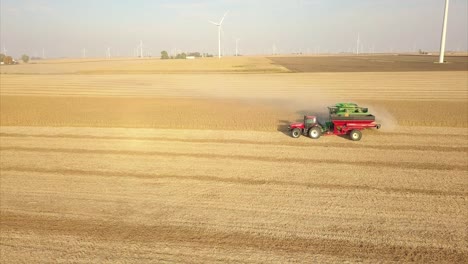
point(377, 164)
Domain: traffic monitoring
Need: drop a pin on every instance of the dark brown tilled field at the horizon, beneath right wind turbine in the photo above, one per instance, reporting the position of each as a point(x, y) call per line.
point(377, 63)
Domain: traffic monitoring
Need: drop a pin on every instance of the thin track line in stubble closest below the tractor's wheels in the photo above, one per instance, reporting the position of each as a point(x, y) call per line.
point(247, 142)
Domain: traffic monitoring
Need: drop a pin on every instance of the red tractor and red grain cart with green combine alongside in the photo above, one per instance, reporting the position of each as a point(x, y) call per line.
point(344, 119)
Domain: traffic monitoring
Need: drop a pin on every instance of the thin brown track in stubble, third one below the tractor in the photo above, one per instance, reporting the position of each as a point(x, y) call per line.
point(238, 180)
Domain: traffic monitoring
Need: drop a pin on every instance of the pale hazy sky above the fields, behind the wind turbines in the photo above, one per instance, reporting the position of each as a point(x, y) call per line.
point(64, 27)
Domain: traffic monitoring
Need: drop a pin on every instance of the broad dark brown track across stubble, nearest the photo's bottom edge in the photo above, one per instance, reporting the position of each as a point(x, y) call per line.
point(228, 240)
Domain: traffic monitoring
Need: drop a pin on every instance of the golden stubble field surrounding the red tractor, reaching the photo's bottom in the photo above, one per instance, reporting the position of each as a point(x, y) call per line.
point(190, 167)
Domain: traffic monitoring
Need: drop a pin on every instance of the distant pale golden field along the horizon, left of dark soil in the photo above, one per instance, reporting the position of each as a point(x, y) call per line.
point(126, 66)
